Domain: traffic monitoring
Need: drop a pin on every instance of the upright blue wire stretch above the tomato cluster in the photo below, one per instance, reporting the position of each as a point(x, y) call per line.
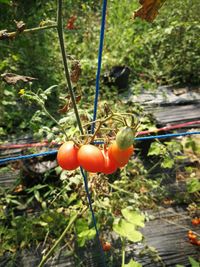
point(99, 64)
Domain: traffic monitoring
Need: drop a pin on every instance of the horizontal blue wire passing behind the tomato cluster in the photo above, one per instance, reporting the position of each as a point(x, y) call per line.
point(52, 152)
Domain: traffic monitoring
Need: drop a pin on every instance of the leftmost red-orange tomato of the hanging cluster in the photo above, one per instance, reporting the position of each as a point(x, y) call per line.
point(67, 156)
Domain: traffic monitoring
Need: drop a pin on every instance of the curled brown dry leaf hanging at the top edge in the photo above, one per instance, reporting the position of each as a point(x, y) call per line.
point(149, 9)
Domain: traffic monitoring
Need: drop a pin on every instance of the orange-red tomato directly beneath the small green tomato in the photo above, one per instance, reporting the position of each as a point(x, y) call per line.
point(120, 156)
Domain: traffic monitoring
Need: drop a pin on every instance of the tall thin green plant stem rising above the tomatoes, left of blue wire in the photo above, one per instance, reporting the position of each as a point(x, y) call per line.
point(64, 58)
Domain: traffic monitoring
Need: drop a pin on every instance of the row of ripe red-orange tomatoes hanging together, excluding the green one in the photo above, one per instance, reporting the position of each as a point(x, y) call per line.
point(93, 159)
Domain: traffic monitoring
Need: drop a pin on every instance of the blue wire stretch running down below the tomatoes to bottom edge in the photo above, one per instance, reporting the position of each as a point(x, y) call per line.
point(84, 174)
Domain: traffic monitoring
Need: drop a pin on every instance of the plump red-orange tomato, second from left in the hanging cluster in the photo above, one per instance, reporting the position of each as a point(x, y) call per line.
point(91, 158)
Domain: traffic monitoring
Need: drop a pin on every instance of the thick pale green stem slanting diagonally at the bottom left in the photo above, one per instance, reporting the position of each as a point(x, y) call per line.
point(50, 252)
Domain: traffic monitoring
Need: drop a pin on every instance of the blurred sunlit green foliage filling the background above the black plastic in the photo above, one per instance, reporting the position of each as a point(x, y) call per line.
point(164, 52)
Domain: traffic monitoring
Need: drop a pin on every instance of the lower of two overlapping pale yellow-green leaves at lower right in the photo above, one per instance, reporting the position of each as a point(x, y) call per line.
point(126, 229)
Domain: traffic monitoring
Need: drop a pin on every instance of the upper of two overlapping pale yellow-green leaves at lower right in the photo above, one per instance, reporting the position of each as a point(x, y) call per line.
point(133, 217)
